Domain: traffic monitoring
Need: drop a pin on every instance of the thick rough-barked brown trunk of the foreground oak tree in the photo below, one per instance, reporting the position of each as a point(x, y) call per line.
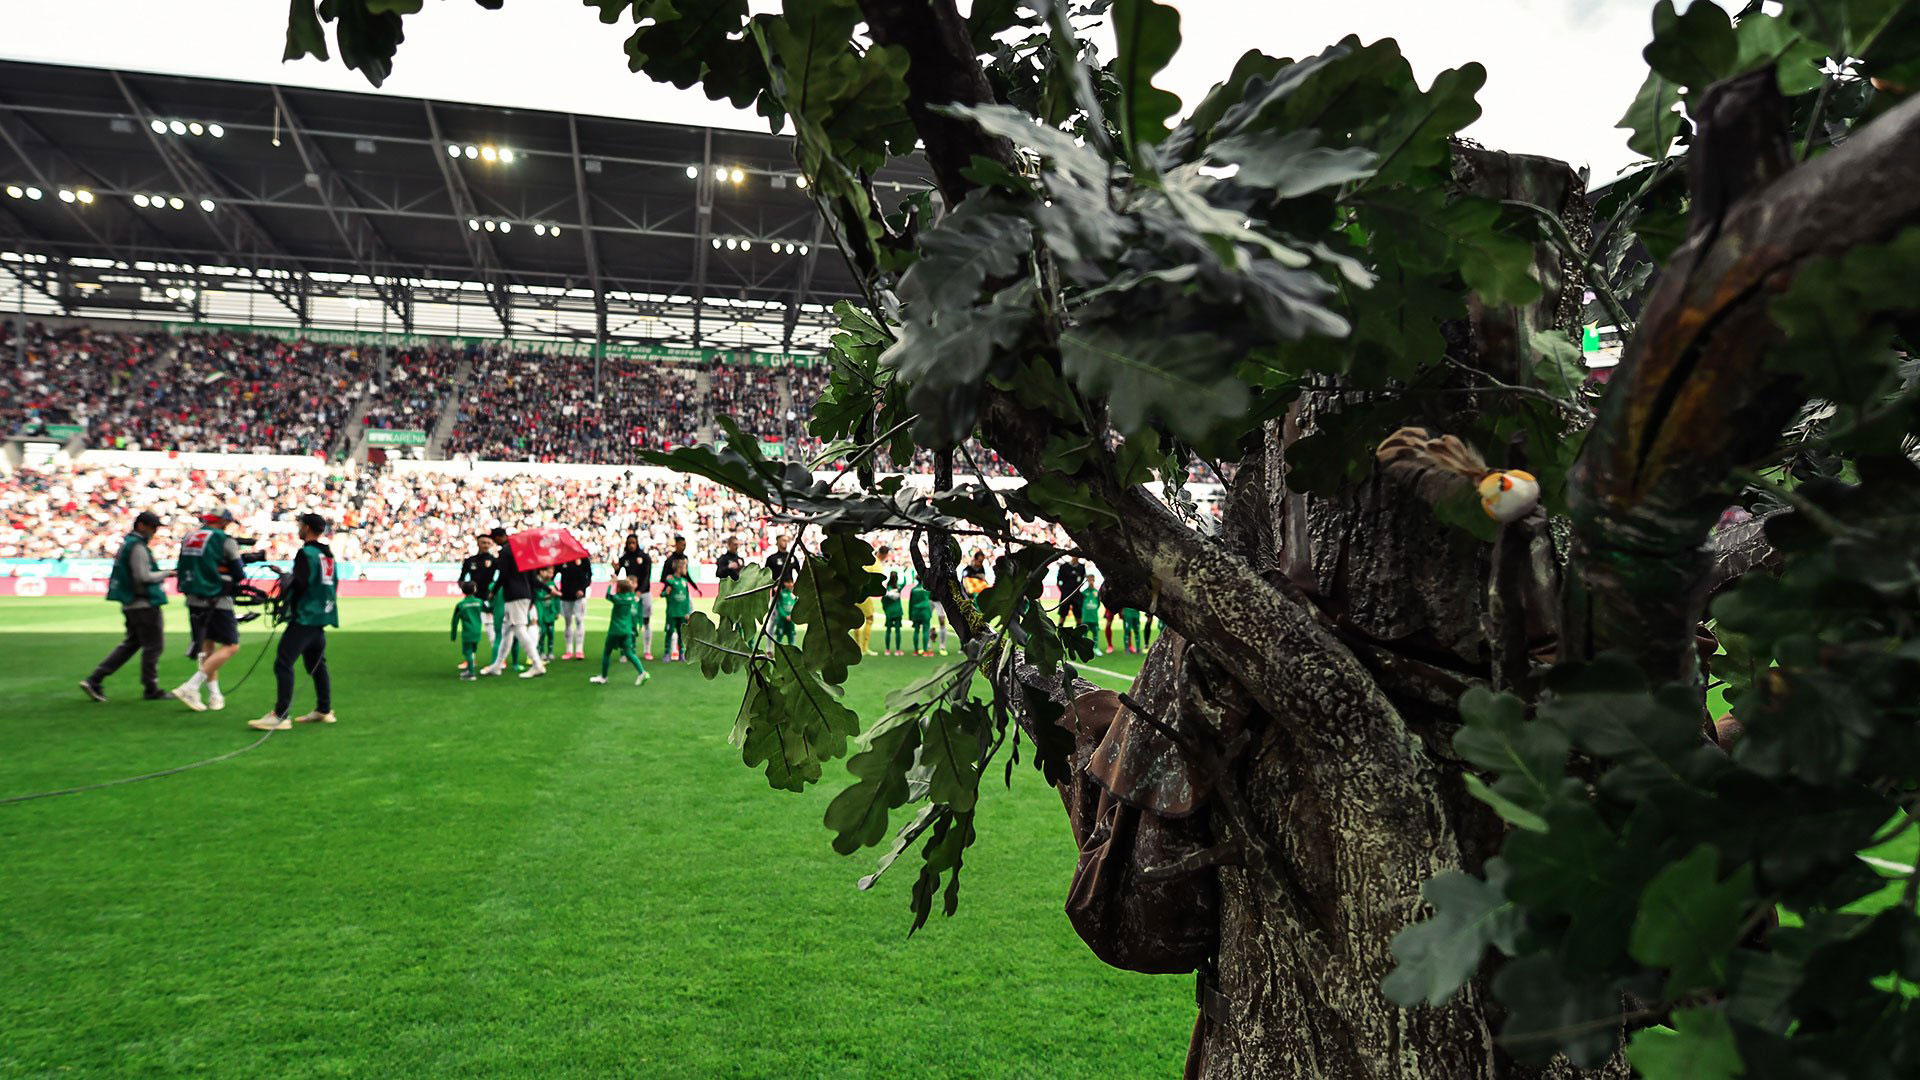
point(1372, 808)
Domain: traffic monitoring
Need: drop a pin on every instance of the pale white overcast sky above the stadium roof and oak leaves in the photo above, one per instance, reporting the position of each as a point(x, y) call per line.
point(1560, 72)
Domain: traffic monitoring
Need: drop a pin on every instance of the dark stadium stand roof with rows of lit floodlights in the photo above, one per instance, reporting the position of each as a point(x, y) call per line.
point(404, 214)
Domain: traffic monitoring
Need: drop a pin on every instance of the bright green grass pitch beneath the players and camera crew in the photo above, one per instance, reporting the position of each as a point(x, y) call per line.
point(502, 879)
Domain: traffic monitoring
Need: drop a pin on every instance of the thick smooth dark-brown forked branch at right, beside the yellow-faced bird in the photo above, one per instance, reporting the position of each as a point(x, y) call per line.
point(1694, 399)
